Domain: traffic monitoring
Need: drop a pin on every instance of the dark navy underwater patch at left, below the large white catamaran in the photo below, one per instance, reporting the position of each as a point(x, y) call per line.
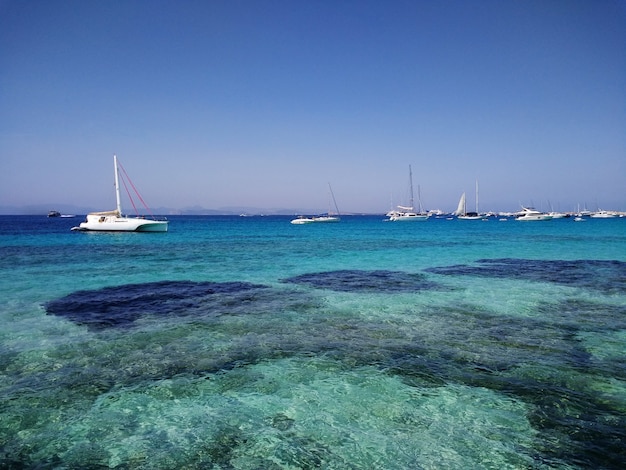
point(120, 306)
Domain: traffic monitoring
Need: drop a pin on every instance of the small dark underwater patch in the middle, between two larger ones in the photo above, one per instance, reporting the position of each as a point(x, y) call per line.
point(381, 281)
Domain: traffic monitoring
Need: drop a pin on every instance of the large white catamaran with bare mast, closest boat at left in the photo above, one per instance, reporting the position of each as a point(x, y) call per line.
point(115, 221)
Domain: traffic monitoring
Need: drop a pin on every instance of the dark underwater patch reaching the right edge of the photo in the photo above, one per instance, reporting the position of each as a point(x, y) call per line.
point(604, 275)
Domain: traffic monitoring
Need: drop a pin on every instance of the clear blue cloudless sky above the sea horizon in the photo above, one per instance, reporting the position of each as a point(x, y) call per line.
point(264, 103)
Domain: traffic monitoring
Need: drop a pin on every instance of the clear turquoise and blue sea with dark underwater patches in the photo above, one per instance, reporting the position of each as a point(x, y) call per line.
point(250, 343)
